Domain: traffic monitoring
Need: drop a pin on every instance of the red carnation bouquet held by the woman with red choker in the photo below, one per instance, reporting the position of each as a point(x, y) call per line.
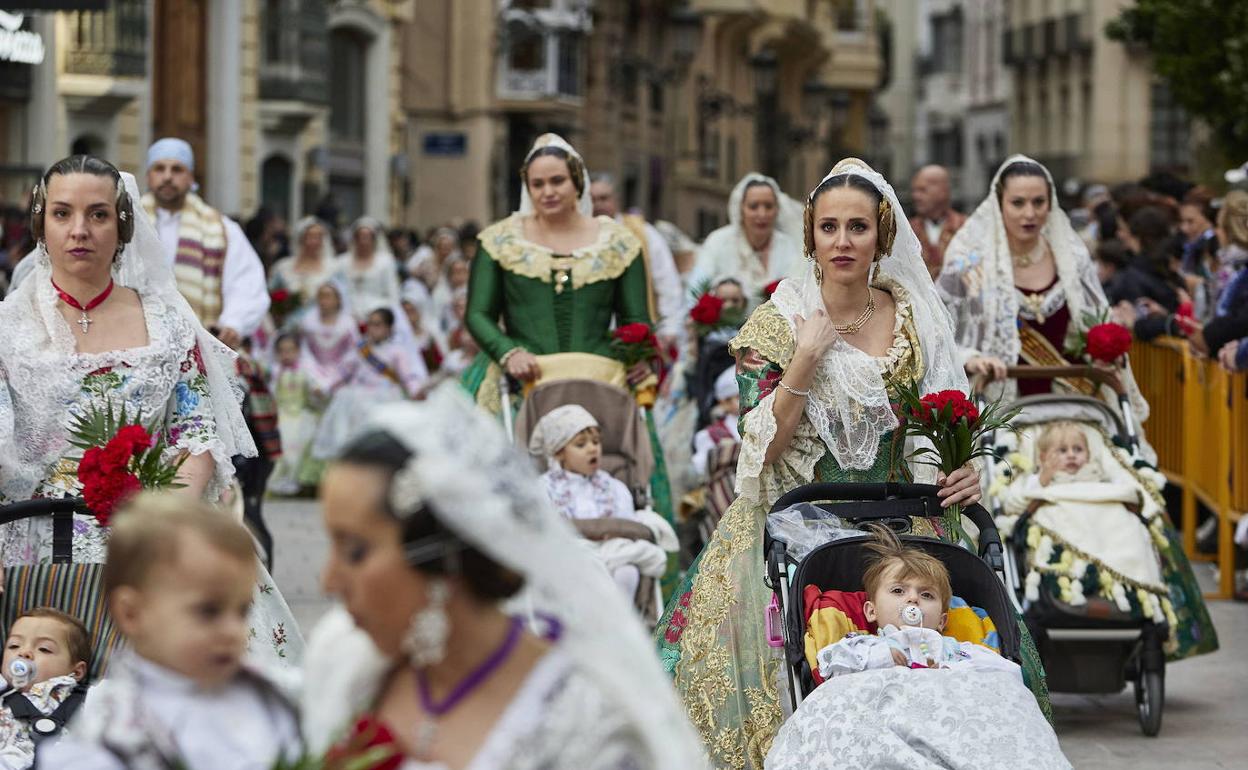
point(119, 459)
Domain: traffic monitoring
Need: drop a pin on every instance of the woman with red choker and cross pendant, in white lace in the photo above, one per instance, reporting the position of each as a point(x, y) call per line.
point(139, 346)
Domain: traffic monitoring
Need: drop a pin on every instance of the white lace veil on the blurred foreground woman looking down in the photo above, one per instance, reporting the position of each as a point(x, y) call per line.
point(487, 492)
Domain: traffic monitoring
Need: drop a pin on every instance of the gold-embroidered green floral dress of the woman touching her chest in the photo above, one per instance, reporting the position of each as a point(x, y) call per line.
point(712, 637)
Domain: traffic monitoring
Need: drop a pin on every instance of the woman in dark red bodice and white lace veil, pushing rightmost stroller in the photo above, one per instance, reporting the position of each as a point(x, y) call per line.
point(1016, 278)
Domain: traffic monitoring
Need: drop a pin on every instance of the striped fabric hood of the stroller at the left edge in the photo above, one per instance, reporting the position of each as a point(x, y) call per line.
point(74, 590)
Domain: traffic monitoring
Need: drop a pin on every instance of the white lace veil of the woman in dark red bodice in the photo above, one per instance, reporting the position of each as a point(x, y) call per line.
point(978, 283)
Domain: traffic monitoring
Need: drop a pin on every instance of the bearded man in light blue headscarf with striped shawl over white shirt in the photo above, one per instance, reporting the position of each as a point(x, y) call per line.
point(217, 269)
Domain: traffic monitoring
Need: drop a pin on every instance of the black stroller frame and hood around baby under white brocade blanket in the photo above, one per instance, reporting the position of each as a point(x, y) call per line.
point(839, 563)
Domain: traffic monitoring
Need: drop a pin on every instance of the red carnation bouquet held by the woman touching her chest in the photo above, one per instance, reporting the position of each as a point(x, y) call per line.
point(952, 429)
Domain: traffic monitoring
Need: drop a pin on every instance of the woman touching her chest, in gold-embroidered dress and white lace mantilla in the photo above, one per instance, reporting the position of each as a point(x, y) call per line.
point(814, 368)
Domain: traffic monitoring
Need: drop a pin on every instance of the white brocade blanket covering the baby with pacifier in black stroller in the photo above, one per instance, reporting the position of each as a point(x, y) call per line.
point(918, 719)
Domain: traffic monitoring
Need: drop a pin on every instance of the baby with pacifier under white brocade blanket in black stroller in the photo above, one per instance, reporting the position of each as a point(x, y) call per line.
point(909, 697)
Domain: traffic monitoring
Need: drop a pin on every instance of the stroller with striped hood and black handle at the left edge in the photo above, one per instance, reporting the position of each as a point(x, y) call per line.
point(72, 588)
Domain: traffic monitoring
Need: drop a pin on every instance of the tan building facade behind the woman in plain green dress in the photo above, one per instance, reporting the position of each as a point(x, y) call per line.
point(675, 99)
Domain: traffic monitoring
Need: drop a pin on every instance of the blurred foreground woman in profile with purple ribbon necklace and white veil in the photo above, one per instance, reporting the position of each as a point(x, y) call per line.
point(475, 631)
